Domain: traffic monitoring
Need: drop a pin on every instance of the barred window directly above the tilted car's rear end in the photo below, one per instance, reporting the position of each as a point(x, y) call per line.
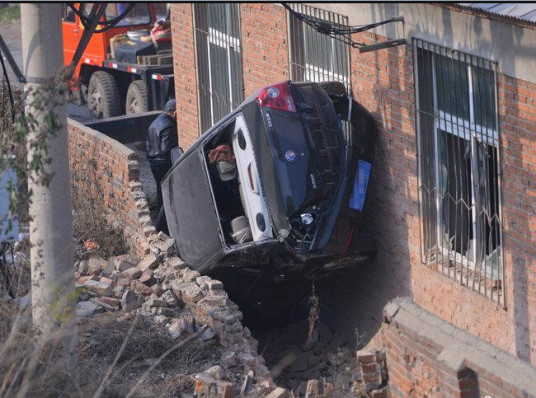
point(315, 56)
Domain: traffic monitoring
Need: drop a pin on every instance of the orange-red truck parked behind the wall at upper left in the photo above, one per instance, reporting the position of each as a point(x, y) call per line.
point(119, 73)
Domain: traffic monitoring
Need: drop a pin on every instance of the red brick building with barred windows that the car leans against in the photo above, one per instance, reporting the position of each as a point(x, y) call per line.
point(453, 194)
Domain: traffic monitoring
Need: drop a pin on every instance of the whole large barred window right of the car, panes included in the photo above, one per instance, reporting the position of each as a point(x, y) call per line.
point(459, 167)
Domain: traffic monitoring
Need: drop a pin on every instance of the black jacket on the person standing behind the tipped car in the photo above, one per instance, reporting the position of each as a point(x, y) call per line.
point(161, 138)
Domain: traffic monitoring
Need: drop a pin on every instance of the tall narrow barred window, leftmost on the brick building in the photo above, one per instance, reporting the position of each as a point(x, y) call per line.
point(219, 60)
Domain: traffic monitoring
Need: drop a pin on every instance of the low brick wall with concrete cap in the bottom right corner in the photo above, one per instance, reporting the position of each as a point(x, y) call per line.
point(427, 357)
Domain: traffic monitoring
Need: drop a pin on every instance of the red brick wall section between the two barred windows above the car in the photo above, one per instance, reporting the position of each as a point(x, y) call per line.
point(264, 44)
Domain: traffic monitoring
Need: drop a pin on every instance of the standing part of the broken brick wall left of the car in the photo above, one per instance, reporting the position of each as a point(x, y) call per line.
point(108, 172)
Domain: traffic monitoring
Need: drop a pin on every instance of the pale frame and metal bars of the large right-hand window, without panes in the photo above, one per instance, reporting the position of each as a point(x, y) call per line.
point(475, 135)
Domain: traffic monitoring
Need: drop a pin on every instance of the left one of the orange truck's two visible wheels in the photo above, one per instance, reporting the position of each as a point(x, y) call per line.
point(103, 95)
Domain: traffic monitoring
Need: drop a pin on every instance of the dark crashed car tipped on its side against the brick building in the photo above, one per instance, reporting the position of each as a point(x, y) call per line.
point(277, 184)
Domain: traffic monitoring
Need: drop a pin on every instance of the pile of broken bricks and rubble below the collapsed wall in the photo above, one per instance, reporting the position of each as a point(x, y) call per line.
point(163, 287)
